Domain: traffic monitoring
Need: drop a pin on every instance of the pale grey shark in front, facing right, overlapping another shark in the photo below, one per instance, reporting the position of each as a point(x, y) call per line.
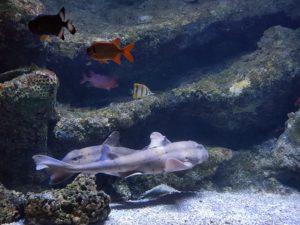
point(160, 156)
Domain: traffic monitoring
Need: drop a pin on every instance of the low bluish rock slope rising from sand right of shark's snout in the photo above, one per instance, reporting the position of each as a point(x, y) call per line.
point(254, 169)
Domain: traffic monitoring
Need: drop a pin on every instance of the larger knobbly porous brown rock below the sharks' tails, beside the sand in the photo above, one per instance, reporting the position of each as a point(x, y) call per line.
point(78, 203)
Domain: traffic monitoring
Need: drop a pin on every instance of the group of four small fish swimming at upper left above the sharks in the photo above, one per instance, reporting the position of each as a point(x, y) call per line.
point(101, 51)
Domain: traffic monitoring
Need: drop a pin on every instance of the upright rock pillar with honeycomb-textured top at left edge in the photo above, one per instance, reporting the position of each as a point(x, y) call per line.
point(26, 106)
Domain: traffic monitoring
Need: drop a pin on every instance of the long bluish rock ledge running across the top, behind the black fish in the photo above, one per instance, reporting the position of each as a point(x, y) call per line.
point(172, 22)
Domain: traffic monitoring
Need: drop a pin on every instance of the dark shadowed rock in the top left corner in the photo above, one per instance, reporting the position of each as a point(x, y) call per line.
point(14, 16)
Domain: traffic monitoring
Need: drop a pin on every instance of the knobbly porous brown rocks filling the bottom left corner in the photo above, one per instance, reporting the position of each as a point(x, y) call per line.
point(78, 203)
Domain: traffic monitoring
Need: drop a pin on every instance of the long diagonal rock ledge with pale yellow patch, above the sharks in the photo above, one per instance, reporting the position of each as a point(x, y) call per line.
point(238, 99)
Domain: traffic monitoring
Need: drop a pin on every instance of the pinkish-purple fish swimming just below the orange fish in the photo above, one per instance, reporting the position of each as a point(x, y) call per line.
point(99, 81)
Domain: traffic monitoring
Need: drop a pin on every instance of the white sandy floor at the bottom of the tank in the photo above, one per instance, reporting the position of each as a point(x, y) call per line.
point(211, 208)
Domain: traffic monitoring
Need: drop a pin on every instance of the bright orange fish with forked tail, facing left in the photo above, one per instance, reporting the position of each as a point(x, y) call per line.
point(105, 51)
